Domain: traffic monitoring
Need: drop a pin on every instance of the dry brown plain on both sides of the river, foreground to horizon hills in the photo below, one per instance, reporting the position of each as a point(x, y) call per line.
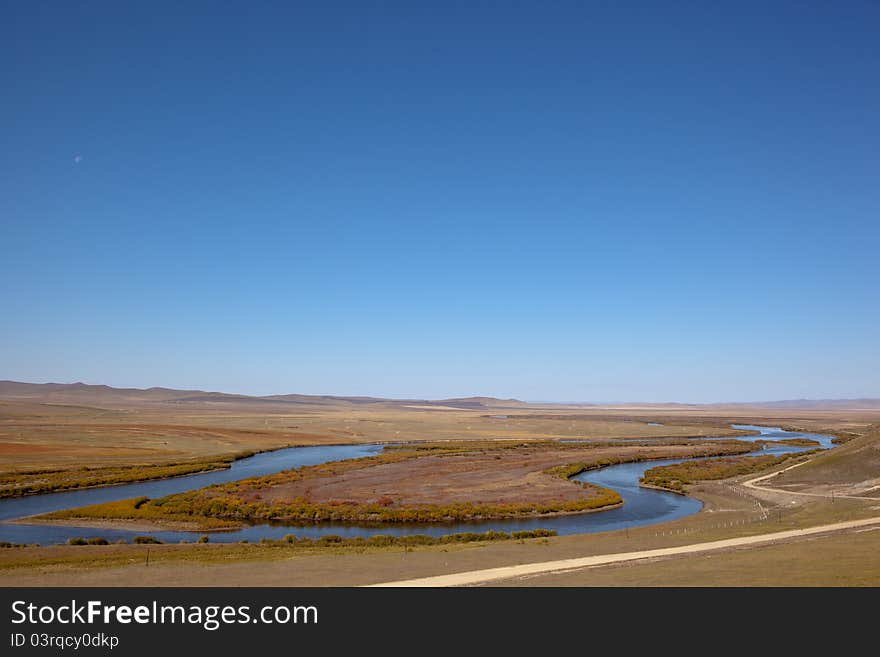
point(60, 437)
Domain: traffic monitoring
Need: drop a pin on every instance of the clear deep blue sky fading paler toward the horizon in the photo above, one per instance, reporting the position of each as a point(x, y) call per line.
point(589, 201)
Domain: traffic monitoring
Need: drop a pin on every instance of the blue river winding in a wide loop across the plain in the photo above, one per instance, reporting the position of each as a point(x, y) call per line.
point(642, 506)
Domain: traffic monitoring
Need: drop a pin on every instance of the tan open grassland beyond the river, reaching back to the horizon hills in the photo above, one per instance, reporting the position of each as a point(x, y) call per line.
point(74, 426)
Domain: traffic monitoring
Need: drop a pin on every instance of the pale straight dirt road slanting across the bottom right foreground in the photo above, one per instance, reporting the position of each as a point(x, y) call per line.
point(508, 572)
